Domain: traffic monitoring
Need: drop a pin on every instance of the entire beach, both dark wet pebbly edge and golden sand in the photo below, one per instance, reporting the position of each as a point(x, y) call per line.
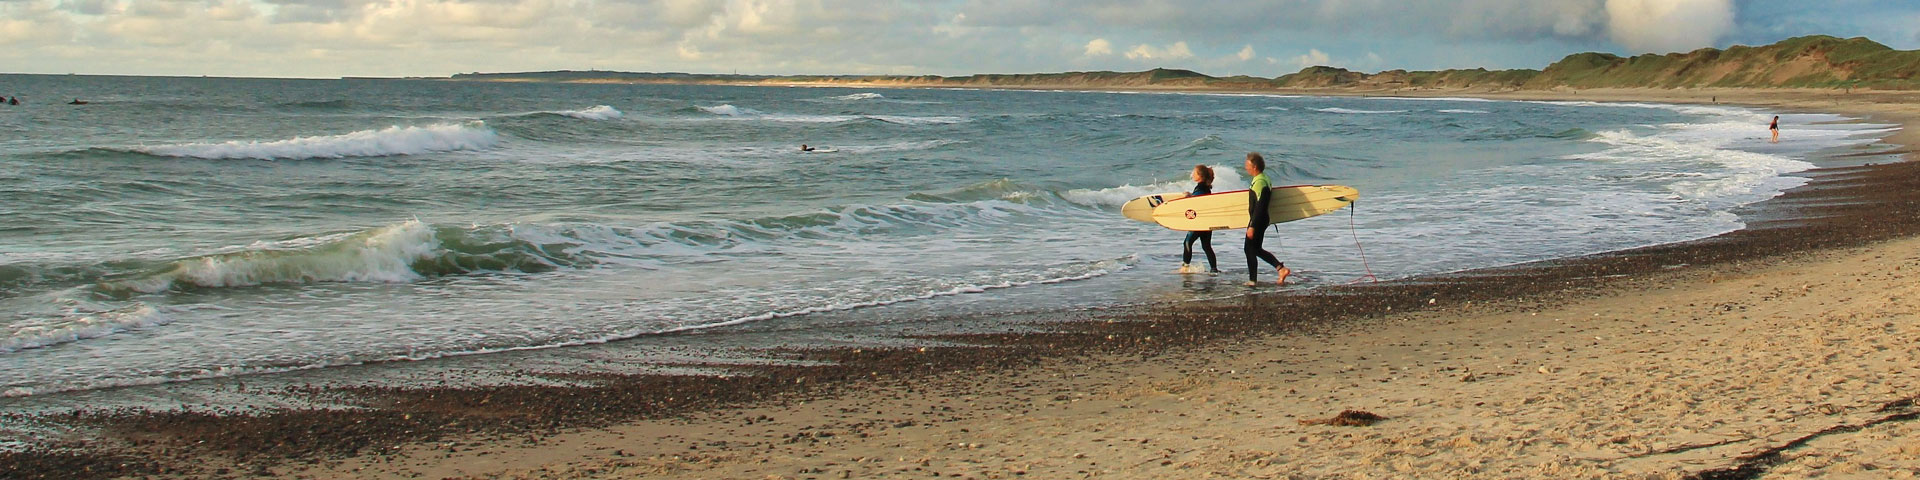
point(1698, 358)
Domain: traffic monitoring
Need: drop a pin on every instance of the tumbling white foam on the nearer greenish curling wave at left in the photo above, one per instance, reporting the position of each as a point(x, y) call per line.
point(375, 256)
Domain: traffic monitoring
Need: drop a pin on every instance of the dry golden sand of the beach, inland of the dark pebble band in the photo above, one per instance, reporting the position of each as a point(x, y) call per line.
point(1696, 370)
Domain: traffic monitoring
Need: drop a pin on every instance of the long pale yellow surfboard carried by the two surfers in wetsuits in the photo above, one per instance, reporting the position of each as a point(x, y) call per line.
point(1228, 210)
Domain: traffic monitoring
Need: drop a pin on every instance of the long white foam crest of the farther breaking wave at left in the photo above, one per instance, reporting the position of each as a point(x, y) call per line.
point(393, 141)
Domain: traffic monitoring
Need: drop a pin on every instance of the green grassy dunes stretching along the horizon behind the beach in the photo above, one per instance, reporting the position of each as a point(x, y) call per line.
point(1802, 62)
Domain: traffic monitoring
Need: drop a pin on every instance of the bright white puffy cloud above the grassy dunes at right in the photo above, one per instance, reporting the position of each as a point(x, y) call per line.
point(1669, 26)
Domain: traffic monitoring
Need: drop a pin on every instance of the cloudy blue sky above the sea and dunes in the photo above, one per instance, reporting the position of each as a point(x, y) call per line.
point(898, 37)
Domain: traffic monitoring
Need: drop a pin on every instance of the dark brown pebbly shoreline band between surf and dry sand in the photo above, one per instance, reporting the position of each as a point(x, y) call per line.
point(418, 420)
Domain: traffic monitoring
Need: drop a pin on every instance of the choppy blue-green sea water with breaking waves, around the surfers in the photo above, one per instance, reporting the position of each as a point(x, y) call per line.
point(180, 229)
